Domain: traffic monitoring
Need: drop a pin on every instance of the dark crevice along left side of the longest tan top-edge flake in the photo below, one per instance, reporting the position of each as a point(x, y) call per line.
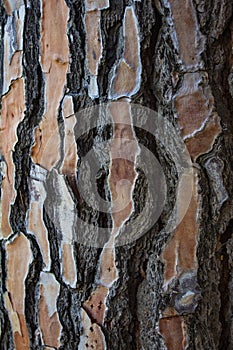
point(34, 94)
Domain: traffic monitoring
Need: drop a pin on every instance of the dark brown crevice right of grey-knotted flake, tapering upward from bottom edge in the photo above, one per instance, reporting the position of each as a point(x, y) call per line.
point(207, 329)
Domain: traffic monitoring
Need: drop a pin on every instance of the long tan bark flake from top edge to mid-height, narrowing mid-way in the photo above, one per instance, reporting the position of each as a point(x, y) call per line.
point(54, 61)
